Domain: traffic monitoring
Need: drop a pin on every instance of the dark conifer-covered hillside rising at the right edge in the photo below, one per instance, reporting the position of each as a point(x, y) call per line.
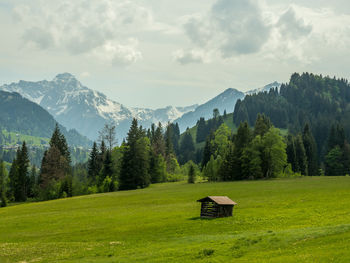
point(321, 102)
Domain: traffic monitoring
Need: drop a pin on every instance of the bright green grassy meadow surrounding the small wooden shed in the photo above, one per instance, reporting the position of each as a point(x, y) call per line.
point(285, 220)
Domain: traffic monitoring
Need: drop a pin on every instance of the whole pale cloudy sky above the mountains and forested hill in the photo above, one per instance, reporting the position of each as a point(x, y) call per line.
point(153, 53)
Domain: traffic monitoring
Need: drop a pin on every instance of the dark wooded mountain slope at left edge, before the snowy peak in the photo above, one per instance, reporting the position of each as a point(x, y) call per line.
point(23, 116)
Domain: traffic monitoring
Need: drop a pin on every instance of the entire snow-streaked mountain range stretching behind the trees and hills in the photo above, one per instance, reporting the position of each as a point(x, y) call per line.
point(78, 107)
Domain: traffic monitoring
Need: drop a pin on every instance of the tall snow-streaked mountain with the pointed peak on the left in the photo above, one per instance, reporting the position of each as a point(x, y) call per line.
point(78, 107)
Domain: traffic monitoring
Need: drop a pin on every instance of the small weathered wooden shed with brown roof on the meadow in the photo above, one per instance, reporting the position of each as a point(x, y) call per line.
point(216, 206)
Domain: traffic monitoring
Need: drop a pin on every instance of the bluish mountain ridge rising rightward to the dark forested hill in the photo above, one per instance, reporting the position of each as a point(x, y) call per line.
point(224, 101)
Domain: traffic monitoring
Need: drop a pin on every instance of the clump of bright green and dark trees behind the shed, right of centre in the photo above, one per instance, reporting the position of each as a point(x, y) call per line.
point(248, 154)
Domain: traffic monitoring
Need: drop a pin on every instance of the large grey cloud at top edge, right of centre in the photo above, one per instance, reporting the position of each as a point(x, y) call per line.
point(230, 27)
